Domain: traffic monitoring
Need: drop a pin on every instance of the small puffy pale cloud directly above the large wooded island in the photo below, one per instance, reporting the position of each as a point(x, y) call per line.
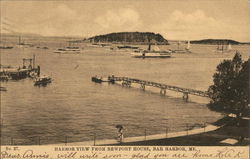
point(126, 19)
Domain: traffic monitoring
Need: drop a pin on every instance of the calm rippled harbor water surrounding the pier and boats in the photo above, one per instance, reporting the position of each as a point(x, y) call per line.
point(74, 106)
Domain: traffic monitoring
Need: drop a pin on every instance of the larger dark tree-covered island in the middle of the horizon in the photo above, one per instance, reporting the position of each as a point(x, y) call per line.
point(130, 37)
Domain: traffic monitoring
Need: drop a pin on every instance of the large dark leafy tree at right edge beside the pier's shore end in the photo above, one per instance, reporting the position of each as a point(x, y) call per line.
point(230, 91)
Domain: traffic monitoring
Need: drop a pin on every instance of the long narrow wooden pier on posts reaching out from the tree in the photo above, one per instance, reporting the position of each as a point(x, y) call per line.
point(126, 81)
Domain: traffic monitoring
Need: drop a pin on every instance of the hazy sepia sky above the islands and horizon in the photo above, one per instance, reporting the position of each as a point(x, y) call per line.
point(174, 19)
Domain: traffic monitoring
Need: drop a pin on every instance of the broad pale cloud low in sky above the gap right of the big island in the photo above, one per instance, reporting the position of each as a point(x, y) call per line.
point(197, 24)
